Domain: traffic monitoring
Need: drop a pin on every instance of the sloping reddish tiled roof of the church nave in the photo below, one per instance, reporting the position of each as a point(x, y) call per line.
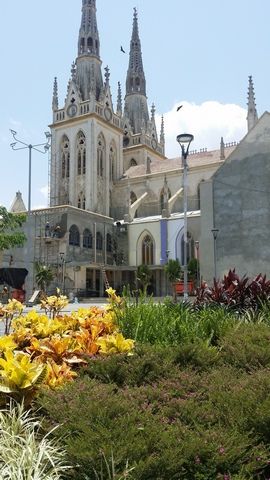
point(195, 159)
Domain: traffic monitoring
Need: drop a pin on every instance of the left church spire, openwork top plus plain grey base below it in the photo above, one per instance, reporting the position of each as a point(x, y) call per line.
point(88, 63)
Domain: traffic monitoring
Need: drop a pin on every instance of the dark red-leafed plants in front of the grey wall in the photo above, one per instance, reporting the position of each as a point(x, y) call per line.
point(235, 292)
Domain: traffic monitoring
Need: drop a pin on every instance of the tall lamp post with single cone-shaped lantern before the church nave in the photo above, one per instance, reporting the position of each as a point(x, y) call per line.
point(184, 141)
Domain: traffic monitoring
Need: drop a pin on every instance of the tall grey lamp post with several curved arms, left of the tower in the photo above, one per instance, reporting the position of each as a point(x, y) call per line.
point(20, 145)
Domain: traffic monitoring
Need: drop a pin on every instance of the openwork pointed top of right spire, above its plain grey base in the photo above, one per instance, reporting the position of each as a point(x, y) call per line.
point(135, 76)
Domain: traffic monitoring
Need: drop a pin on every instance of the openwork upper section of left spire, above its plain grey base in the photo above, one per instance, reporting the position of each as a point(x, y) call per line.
point(88, 43)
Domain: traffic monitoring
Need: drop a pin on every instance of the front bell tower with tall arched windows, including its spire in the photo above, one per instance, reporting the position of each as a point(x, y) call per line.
point(87, 134)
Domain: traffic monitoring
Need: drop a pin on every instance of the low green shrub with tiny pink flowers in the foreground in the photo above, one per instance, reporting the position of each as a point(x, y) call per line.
point(183, 423)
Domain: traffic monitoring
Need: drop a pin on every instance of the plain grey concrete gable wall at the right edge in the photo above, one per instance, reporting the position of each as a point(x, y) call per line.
point(241, 208)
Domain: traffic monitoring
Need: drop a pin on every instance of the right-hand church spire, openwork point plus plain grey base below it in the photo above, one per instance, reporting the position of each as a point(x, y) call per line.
point(136, 107)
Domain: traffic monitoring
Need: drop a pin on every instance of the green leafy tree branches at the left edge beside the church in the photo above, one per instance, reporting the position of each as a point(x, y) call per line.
point(10, 233)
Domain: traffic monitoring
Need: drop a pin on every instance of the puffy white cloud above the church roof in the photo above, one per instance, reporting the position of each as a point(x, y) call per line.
point(208, 122)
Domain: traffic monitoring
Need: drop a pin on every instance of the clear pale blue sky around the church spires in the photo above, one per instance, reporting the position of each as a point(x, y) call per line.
point(199, 53)
